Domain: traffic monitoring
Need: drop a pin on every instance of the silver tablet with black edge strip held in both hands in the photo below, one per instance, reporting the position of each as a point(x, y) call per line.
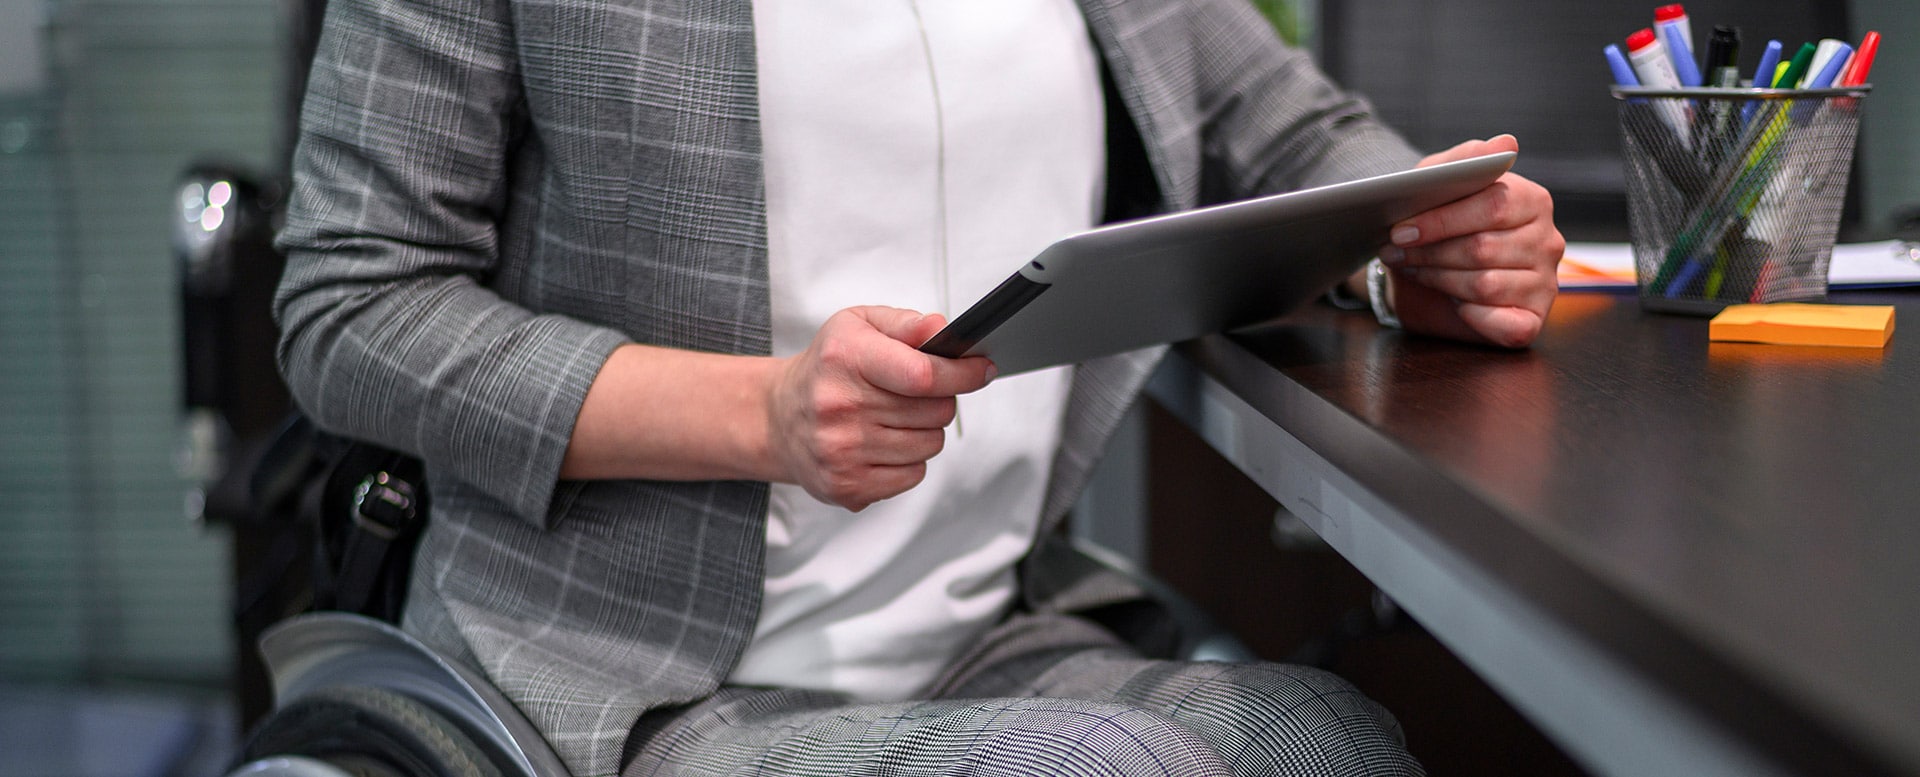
point(1186, 275)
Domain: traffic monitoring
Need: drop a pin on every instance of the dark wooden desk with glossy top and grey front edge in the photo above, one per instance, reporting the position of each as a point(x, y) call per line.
point(1677, 557)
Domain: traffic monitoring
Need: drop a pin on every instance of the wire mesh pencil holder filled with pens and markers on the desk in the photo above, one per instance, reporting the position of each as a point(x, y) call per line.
point(1735, 195)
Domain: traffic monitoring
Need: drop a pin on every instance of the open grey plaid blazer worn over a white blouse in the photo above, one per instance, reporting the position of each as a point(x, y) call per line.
point(492, 195)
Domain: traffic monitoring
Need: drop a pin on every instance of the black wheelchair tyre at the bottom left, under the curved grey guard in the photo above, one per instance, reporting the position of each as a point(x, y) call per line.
point(370, 734)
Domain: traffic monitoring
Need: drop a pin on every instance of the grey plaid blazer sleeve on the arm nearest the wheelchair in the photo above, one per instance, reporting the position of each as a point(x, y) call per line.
point(400, 187)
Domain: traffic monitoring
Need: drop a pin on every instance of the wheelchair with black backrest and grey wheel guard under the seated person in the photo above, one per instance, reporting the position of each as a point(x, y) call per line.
point(324, 534)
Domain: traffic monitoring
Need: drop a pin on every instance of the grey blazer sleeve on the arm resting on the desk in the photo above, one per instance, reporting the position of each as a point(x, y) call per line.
point(1272, 122)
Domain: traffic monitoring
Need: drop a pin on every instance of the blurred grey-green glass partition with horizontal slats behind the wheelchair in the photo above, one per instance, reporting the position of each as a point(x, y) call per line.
point(103, 105)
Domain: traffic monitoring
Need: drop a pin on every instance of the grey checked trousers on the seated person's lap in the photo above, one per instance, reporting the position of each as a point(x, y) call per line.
point(1047, 695)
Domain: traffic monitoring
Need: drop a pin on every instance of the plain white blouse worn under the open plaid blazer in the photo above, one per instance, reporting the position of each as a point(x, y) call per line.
point(917, 153)
